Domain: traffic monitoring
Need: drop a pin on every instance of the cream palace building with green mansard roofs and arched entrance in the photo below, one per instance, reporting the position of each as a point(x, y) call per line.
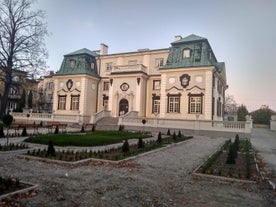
point(184, 81)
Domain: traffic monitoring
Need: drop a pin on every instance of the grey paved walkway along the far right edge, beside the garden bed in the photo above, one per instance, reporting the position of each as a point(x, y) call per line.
point(264, 141)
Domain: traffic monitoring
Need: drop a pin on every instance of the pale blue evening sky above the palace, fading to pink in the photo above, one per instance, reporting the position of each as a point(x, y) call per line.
point(241, 33)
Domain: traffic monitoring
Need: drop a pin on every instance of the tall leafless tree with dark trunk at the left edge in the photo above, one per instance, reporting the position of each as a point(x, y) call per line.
point(22, 35)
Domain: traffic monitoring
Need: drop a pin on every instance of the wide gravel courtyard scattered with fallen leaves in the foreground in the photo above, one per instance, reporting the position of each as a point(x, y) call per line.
point(161, 178)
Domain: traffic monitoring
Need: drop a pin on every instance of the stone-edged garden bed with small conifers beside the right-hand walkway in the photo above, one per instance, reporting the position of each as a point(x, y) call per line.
point(243, 167)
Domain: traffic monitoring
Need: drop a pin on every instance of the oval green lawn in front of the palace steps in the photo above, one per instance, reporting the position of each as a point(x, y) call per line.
point(97, 138)
